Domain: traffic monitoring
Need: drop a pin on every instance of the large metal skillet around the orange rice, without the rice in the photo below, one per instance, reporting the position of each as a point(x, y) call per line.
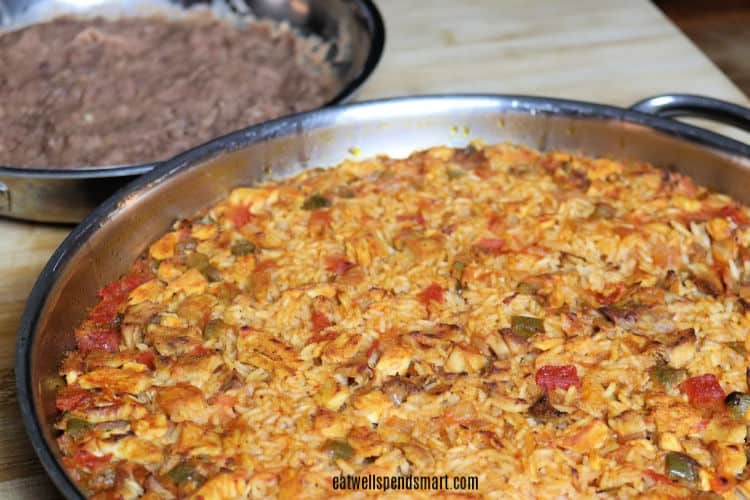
point(109, 239)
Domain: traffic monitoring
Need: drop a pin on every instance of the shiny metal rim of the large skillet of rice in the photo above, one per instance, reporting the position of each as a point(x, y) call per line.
point(80, 235)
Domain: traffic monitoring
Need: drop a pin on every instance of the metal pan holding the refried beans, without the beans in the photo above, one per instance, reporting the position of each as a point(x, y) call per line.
point(353, 28)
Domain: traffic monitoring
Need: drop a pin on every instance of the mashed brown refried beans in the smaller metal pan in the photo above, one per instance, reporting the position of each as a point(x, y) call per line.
point(91, 92)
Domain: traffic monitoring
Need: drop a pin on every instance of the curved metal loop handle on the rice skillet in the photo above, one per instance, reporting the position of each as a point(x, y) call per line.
point(696, 106)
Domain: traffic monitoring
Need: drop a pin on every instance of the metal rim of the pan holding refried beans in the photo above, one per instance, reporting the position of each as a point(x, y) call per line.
point(370, 14)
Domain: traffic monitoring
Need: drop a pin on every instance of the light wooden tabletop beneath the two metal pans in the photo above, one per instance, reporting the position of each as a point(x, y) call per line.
point(614, 51)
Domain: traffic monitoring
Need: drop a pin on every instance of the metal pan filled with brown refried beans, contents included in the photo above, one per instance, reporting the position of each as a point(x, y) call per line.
point(94, 93)
